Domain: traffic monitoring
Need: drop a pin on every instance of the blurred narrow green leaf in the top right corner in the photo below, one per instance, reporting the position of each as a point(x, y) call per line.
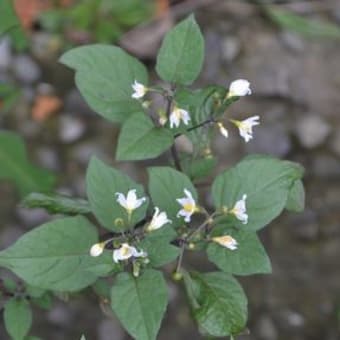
point(308, 27)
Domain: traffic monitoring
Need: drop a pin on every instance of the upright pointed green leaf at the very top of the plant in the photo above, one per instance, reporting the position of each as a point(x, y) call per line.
point(181, 55)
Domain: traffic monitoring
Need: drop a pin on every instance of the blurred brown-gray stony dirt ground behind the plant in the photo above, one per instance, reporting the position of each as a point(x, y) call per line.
point(296, 86)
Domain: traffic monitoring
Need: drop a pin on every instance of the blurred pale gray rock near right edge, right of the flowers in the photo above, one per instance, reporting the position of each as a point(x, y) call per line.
point(312, 130)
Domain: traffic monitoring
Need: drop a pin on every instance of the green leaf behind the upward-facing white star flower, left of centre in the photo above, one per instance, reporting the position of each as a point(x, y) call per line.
point(103, 182)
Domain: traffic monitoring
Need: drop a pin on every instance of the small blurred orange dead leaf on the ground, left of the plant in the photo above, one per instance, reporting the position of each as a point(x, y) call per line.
point(44, 106)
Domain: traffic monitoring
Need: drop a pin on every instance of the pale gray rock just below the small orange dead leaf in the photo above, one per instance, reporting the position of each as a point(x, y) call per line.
point(70, 129)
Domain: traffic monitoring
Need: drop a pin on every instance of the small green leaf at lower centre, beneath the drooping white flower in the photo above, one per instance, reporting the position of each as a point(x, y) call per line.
point(158, 247)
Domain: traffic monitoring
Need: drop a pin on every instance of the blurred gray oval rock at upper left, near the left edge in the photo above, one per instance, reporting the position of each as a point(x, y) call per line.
point(26, 69)
